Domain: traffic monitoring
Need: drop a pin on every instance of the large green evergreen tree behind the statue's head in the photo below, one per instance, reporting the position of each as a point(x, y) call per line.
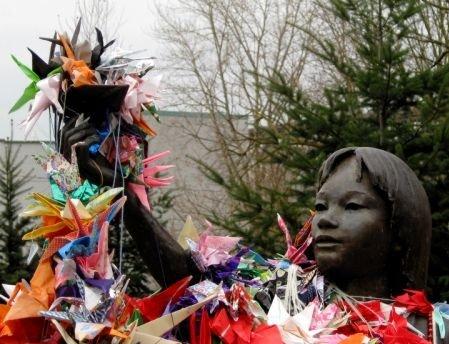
point(378, 99)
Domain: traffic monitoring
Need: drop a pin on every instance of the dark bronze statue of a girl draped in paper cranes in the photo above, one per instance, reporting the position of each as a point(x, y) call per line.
point(371, 230)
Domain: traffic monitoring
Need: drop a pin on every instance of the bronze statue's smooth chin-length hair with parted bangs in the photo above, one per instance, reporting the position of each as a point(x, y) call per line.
point(410, 218)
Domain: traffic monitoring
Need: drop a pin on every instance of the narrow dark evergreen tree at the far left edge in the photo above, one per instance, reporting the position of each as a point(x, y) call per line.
point(13, 182)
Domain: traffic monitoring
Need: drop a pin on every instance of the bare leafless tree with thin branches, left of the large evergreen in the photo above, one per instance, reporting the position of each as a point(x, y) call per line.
point(218, 54)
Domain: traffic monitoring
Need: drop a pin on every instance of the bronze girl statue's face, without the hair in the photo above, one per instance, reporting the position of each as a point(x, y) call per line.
point(351, 226)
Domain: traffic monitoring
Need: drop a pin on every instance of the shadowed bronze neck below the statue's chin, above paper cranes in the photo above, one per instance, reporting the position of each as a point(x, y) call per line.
point(374, 286)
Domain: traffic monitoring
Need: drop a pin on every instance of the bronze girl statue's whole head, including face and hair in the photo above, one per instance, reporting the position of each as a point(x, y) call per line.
point(373, 222)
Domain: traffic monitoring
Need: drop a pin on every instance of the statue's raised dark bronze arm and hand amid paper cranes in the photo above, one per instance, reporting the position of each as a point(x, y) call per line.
point(166, 260)
